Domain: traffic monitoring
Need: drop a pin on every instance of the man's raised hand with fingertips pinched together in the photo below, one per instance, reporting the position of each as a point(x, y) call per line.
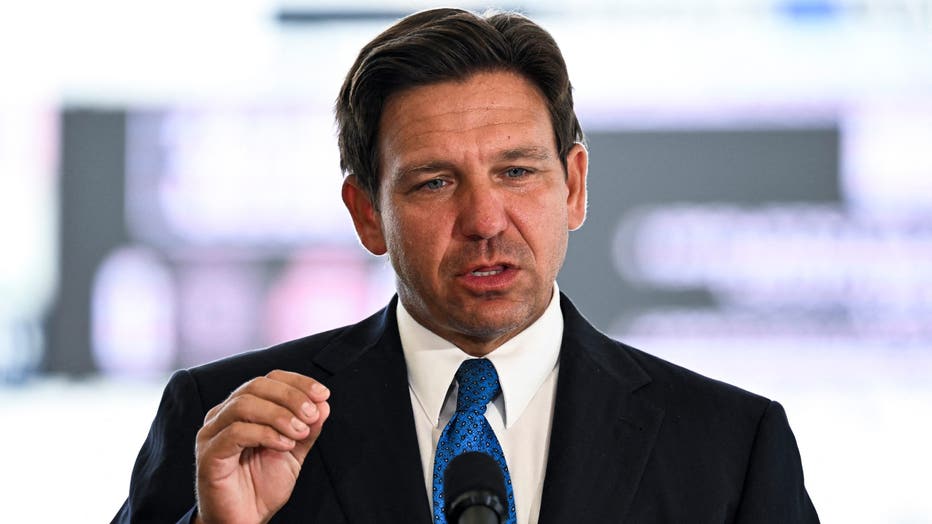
point(253, 444)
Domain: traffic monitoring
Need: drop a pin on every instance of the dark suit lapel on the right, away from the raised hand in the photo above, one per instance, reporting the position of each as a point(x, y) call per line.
point(602, 433)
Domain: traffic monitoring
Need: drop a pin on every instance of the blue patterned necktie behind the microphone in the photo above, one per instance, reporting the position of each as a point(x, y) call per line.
point(468, 430)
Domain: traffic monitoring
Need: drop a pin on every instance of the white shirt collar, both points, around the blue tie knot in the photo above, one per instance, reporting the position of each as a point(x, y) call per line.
point(522, 363)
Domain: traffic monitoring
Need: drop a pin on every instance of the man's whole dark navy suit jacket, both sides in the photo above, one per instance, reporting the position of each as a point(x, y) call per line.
point(634, 439)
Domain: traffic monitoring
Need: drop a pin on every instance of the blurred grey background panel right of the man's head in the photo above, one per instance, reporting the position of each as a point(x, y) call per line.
point(629, 169)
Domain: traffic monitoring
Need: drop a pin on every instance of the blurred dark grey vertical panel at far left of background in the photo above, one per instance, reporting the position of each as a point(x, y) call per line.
point(91, 224)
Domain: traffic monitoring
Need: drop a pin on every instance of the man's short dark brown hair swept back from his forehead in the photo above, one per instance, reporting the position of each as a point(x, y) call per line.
point(441, 45)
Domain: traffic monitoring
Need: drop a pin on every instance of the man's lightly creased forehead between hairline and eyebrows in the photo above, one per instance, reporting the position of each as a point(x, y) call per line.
point(482, 112)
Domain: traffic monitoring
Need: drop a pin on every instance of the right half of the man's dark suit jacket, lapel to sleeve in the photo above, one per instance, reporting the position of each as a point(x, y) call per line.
point(637, 439)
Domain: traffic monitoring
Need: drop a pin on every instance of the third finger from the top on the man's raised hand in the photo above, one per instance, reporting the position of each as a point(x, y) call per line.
point(249, 408)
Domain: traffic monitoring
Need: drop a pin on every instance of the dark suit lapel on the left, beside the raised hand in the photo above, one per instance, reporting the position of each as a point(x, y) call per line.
point(369, 444)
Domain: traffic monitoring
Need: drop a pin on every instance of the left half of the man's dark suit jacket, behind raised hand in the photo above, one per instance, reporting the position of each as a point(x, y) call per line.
point(364, 467)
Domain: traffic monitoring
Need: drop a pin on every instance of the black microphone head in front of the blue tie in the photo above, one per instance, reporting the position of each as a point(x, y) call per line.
point(474, 490)
